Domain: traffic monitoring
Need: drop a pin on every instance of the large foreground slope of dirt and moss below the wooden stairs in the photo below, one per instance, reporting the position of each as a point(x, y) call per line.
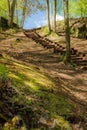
point(38, 91)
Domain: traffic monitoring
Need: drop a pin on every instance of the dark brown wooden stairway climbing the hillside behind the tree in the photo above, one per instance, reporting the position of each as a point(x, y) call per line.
point(78, 58)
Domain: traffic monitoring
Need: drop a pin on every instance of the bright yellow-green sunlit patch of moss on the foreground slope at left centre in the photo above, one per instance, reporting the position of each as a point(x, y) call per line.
point(28, 77)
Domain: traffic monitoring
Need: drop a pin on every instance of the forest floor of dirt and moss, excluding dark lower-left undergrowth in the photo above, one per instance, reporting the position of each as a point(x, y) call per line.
point(63, 88)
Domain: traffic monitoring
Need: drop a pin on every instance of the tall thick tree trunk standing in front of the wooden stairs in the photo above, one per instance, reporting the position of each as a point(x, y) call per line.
point(67, 31)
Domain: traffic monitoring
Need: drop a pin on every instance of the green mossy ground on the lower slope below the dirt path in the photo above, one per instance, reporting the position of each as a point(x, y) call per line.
point(36, 89)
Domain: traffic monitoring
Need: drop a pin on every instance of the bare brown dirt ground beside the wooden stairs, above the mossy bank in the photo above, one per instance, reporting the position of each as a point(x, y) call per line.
point(73, 81)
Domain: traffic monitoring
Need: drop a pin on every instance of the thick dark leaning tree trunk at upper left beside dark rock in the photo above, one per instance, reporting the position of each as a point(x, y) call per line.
point(11, 15)
